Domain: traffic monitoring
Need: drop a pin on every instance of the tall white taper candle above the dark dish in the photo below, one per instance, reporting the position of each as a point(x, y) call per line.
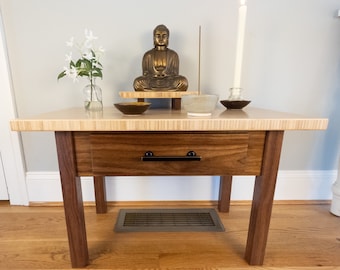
point(242, 14)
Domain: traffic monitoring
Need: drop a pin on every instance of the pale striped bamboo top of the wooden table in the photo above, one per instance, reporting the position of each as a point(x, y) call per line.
point(110, 119)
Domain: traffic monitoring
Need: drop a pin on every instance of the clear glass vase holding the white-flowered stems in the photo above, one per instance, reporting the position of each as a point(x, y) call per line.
point(93, 97)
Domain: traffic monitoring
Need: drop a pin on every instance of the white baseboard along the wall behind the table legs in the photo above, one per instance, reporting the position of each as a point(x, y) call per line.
point(291, 185)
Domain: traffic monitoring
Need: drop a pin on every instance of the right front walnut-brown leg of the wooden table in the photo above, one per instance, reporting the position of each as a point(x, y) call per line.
point(263, 199)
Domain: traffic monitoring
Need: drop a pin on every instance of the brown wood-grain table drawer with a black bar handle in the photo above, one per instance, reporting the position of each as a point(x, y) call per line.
point(216, 153)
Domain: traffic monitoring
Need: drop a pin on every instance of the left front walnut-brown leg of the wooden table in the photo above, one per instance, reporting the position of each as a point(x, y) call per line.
point(73, 201)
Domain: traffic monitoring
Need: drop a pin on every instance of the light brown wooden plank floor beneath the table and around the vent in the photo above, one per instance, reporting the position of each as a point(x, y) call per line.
point(301, 237)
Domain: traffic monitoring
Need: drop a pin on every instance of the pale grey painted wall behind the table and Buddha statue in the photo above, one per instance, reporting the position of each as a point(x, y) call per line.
point(291, 60)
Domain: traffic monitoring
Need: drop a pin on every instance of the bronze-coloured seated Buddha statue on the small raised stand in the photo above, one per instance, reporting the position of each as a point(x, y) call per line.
point(160, 66)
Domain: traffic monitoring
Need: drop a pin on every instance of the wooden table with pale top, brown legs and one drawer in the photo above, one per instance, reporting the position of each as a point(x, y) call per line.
point(230, 142)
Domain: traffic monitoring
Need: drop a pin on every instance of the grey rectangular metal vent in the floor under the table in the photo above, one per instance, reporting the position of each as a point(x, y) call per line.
point(168, 220)
